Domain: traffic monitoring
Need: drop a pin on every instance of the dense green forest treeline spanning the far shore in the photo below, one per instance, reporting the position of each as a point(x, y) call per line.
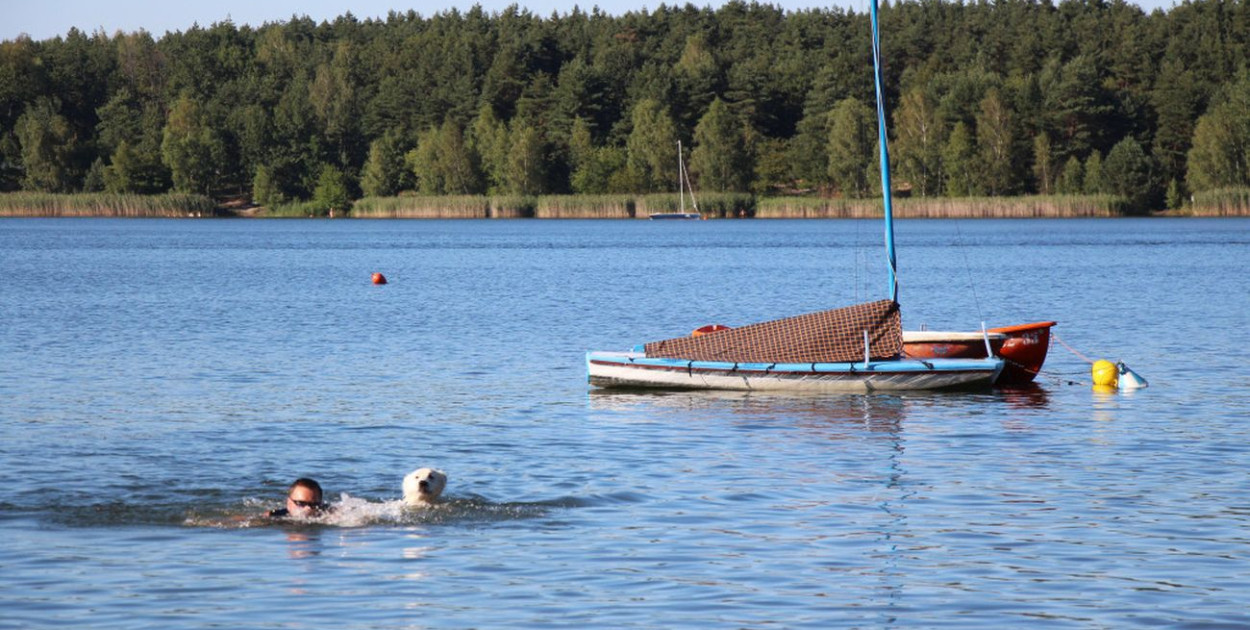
point(988, 99)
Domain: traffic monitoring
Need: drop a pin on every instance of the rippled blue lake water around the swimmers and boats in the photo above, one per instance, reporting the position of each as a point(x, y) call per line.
point(162, 382)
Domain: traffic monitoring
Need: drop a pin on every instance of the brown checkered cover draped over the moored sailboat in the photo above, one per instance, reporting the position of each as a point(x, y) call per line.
point(833, 336)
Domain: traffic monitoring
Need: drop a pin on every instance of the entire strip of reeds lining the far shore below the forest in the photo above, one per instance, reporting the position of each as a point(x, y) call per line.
point(727, 206)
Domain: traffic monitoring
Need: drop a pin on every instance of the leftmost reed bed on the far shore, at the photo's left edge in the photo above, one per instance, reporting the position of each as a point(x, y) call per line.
point(106, 204)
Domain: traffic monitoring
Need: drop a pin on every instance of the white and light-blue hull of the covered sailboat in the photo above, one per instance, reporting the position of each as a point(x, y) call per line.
point(638, 371)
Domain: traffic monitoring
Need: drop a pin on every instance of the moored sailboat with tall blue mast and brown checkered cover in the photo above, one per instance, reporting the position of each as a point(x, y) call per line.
point(854, 349)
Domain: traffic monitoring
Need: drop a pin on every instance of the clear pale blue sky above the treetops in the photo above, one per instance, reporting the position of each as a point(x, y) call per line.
point(46, 19)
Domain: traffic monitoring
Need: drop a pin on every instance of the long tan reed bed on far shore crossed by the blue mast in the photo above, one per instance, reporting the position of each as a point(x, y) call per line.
point(1034, 207)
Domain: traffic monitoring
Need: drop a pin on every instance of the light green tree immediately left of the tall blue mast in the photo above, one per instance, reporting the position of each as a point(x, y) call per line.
point(852, 148)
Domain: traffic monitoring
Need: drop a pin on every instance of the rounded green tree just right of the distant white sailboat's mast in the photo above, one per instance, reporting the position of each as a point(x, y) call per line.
point(721, 161)
